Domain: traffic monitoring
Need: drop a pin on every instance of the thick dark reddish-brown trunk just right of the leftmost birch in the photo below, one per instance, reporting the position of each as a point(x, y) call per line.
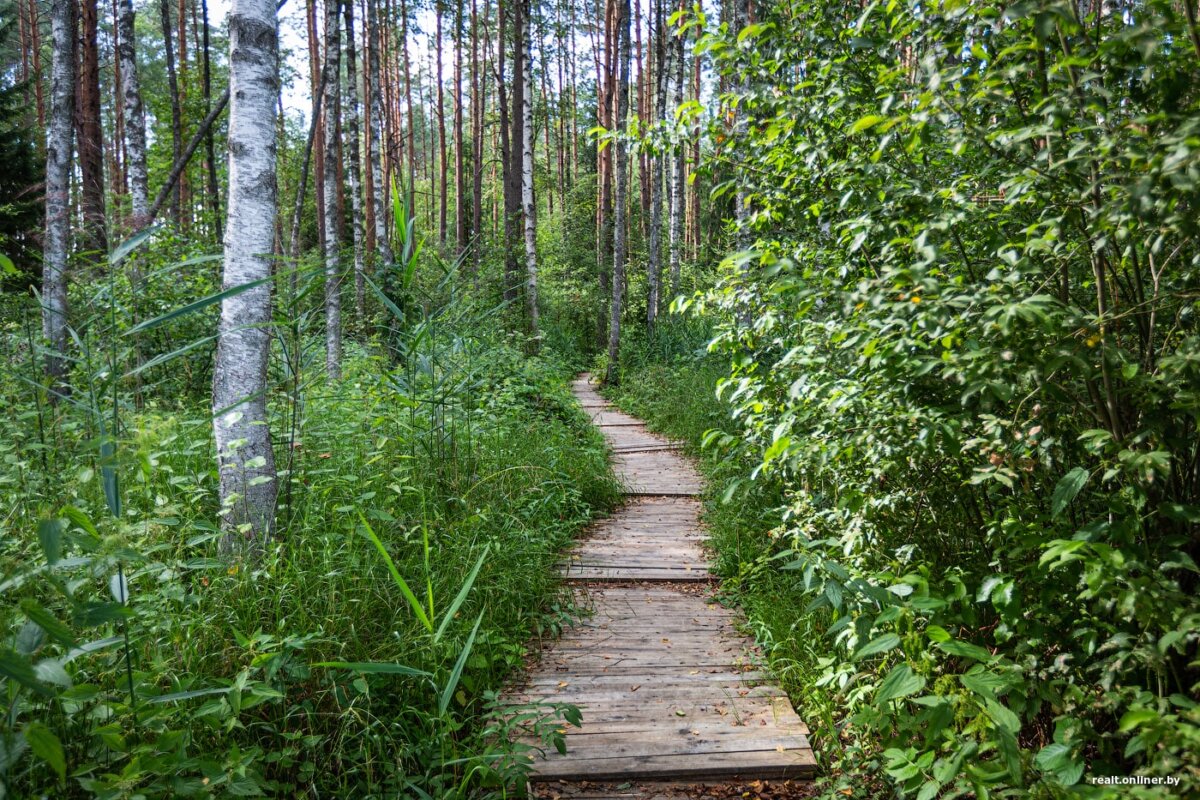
point(91, 142)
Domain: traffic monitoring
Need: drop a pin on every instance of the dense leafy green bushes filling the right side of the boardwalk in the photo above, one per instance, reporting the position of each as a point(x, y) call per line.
point(964, 346)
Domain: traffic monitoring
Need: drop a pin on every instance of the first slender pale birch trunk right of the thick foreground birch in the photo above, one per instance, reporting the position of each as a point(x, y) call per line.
point(329, 189)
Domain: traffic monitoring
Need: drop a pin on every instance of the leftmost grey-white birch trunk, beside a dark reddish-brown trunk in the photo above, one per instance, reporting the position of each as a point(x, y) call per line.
point(59, 141)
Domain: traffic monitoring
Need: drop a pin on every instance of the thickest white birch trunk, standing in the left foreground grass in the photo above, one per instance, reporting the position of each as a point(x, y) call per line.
point(245, 459)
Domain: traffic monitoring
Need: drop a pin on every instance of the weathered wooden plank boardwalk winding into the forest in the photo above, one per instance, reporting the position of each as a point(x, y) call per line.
point(668, 687)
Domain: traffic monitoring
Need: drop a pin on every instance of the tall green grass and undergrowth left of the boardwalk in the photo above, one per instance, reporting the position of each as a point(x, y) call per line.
point(136, 663)
